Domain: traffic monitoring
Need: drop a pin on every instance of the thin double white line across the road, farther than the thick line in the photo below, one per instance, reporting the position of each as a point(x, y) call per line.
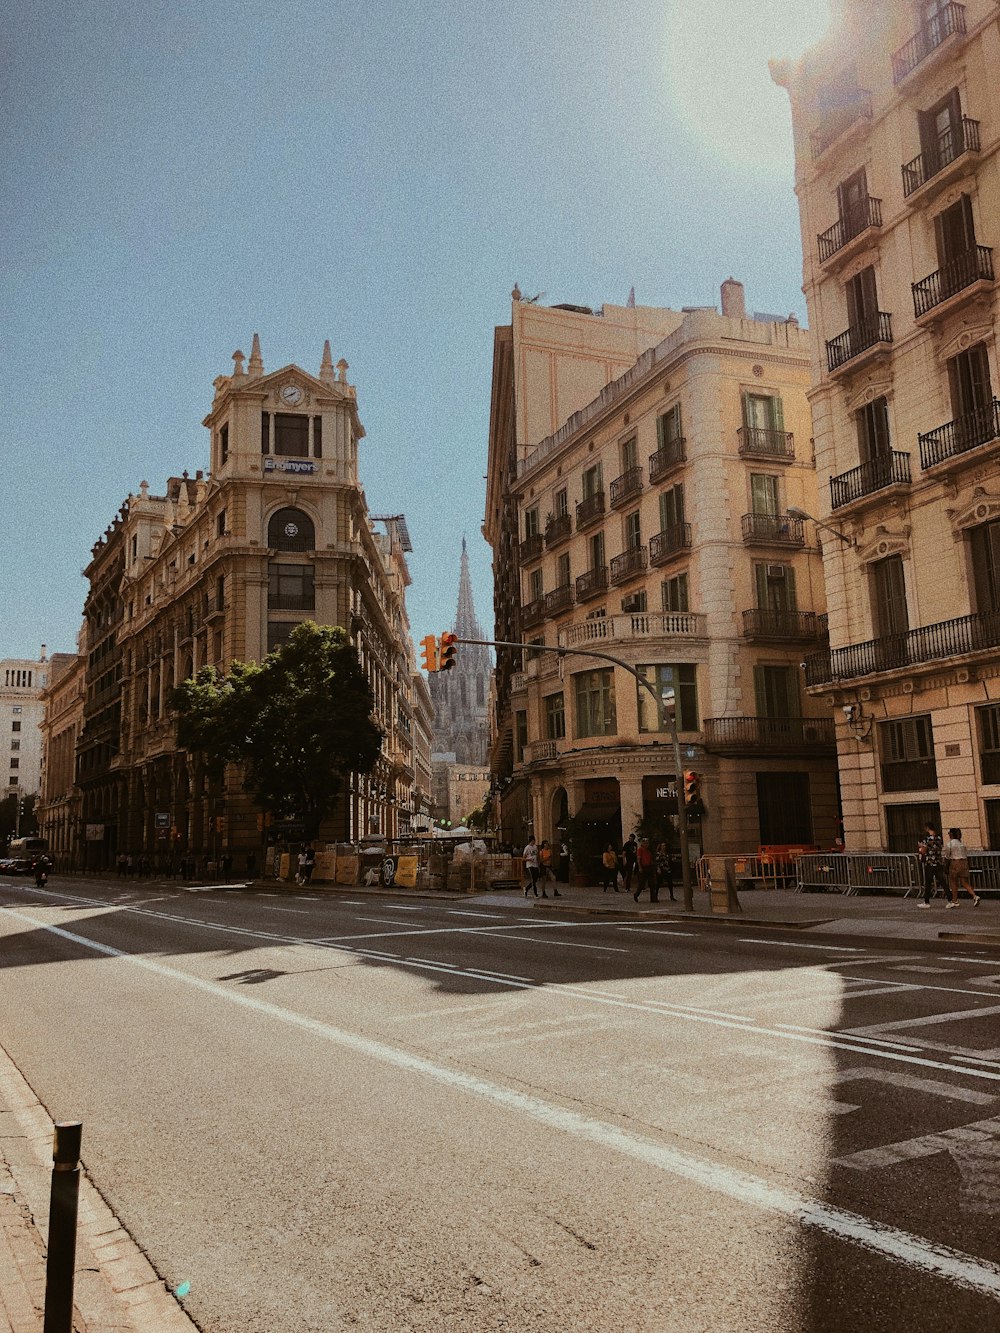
point(822, 1038)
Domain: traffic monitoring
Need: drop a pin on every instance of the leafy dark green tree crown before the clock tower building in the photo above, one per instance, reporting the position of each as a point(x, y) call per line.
point(299, 723)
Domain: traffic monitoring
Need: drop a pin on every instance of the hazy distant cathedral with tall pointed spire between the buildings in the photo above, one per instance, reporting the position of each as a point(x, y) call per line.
point(462, 695)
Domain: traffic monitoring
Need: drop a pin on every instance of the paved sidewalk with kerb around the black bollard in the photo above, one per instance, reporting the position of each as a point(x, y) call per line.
point(117, 1290)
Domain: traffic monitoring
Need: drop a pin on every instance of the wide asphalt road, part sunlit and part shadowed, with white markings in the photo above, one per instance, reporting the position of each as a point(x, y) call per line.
point(382, 1115)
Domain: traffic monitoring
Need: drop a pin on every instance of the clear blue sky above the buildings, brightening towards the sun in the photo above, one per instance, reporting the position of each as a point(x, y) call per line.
point(178, 178)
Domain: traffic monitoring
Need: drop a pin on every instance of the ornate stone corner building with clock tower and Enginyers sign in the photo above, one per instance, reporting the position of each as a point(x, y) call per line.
point(221, 567)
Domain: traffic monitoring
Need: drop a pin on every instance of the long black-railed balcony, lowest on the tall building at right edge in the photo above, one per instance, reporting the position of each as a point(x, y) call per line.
point(898, 653)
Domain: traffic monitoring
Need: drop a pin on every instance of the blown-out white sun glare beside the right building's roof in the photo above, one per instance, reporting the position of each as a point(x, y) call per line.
point(718, 70)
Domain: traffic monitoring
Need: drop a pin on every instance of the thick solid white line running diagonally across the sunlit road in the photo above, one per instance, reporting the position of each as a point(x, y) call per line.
point(907, 1248)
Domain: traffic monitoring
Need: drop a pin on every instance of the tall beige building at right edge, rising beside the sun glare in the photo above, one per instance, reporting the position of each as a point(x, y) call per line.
point(897, 125)
